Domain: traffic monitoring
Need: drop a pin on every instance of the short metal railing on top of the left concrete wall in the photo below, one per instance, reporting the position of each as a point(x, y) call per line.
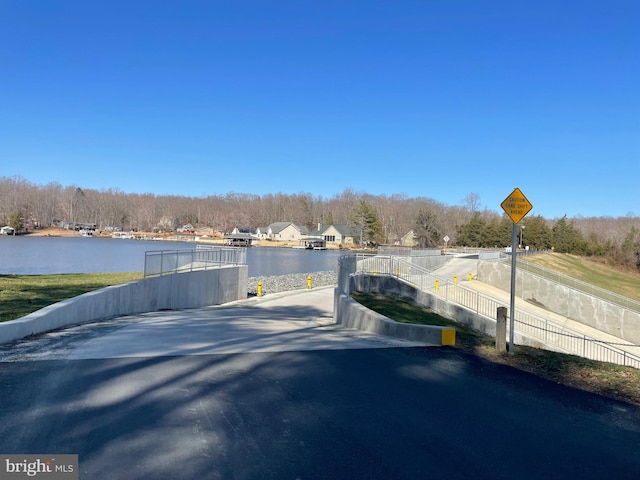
point(162, 262)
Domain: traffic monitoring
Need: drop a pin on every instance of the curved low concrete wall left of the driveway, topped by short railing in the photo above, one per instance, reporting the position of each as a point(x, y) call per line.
point(168, 292)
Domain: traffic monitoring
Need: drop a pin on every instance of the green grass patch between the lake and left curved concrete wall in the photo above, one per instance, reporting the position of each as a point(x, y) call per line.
point(24, 294)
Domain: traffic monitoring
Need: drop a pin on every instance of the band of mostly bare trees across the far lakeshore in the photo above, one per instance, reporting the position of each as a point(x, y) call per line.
point(386, 219)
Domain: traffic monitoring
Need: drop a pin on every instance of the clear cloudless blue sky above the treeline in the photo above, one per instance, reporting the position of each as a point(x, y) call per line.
point(434, 99)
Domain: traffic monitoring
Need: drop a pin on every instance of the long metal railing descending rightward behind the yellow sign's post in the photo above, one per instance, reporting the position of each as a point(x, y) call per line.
point(549, 333)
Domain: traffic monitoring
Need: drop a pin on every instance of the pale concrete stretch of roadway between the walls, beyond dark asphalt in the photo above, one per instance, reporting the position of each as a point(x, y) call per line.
point(290, 321)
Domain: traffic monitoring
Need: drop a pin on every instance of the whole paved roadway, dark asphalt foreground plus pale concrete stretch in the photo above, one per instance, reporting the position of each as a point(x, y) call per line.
point(349, 406)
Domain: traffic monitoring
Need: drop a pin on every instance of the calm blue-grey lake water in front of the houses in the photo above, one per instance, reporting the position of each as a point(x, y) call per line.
point(52, 255)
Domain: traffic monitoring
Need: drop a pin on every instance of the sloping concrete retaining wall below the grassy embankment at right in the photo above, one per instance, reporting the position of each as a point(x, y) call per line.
point(563, 300)
